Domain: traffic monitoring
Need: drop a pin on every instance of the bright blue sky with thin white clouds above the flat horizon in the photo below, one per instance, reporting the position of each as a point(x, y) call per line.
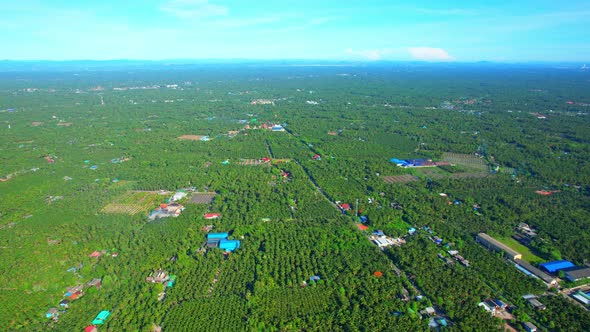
point(469, 30)
